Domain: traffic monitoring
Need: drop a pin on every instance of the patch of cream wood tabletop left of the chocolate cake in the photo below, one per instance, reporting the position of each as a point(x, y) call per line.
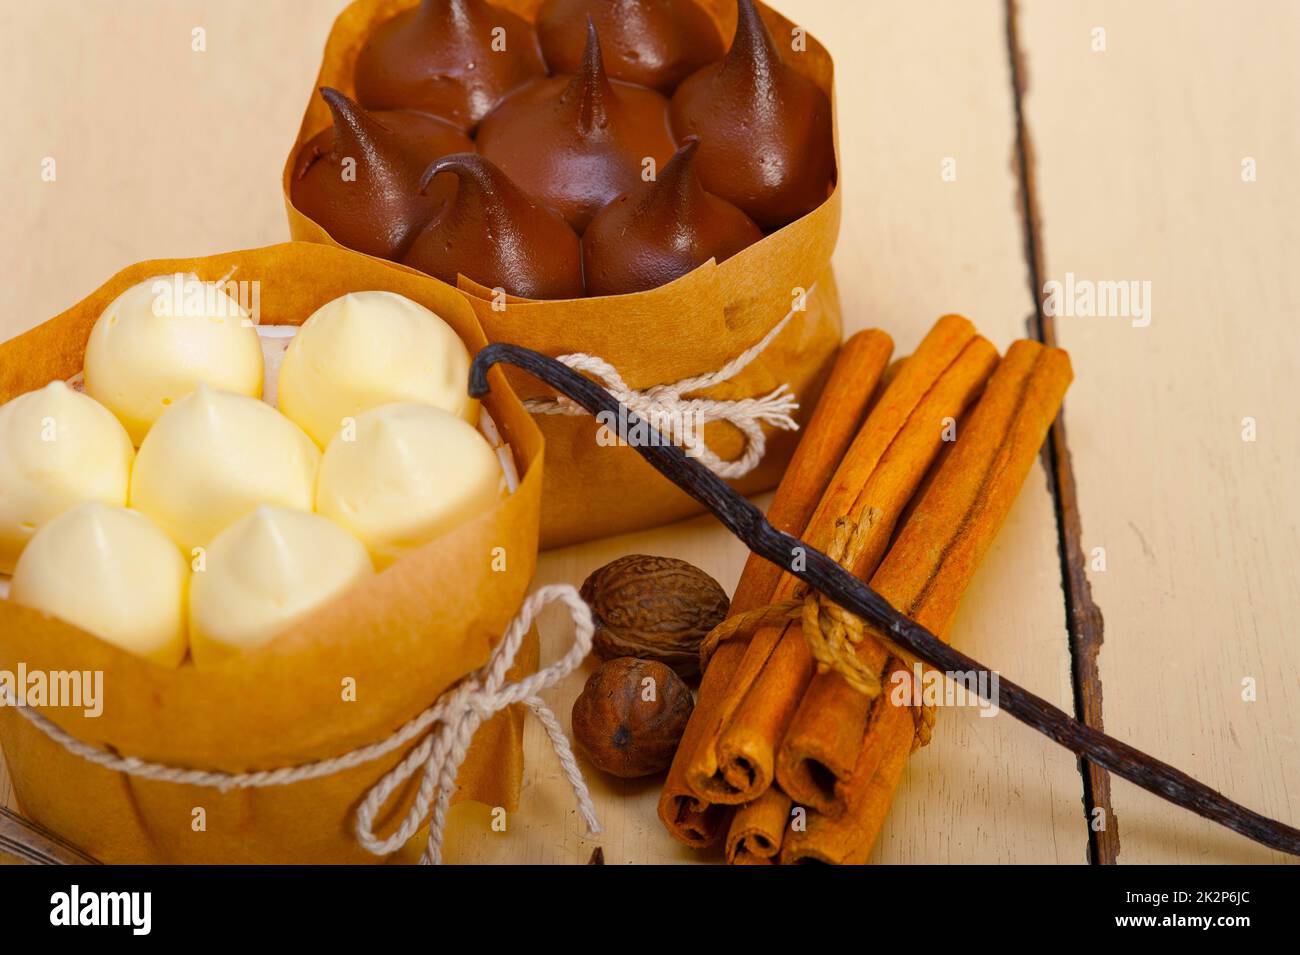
point(161, 151)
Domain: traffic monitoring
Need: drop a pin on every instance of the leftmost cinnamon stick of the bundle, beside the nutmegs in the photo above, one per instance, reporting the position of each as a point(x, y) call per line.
point(839, 414)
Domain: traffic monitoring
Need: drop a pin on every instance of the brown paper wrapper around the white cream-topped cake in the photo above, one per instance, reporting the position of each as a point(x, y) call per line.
point(402, 637)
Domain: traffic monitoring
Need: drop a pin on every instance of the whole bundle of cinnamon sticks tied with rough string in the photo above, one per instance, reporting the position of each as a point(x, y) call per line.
point(905, 476)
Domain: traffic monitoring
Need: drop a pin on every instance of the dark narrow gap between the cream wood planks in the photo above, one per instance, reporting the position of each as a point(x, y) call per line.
point(1084, 618)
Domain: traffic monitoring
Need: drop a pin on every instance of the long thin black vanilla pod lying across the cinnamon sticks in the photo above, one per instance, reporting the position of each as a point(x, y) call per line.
point(822, 574)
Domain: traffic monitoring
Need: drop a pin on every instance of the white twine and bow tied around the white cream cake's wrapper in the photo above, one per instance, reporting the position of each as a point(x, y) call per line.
point(460, 713)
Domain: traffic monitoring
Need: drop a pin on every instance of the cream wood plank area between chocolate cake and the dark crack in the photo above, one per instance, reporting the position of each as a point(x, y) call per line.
point(921, 84)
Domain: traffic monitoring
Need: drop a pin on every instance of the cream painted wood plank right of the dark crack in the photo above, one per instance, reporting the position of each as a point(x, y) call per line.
point(1139, 175)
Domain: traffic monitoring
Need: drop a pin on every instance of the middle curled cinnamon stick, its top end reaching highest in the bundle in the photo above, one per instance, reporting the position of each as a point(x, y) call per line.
point(878, 476)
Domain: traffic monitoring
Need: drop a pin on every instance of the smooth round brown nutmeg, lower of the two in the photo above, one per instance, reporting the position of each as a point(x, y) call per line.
point(631, 715)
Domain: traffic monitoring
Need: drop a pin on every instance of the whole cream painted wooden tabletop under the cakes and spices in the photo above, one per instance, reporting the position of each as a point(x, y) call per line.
point(1108, 142)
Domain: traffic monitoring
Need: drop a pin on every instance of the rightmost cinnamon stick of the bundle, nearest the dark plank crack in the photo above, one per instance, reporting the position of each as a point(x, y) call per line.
point(925, 576)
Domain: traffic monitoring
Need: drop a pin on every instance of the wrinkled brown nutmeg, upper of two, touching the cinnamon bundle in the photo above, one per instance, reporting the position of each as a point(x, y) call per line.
point(656, 609)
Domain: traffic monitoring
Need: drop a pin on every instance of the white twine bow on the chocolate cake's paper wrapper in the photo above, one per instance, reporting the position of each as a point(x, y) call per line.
point(682, 420)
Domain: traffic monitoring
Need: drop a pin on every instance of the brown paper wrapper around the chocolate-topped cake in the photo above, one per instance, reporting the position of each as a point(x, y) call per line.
point(692, 327)
